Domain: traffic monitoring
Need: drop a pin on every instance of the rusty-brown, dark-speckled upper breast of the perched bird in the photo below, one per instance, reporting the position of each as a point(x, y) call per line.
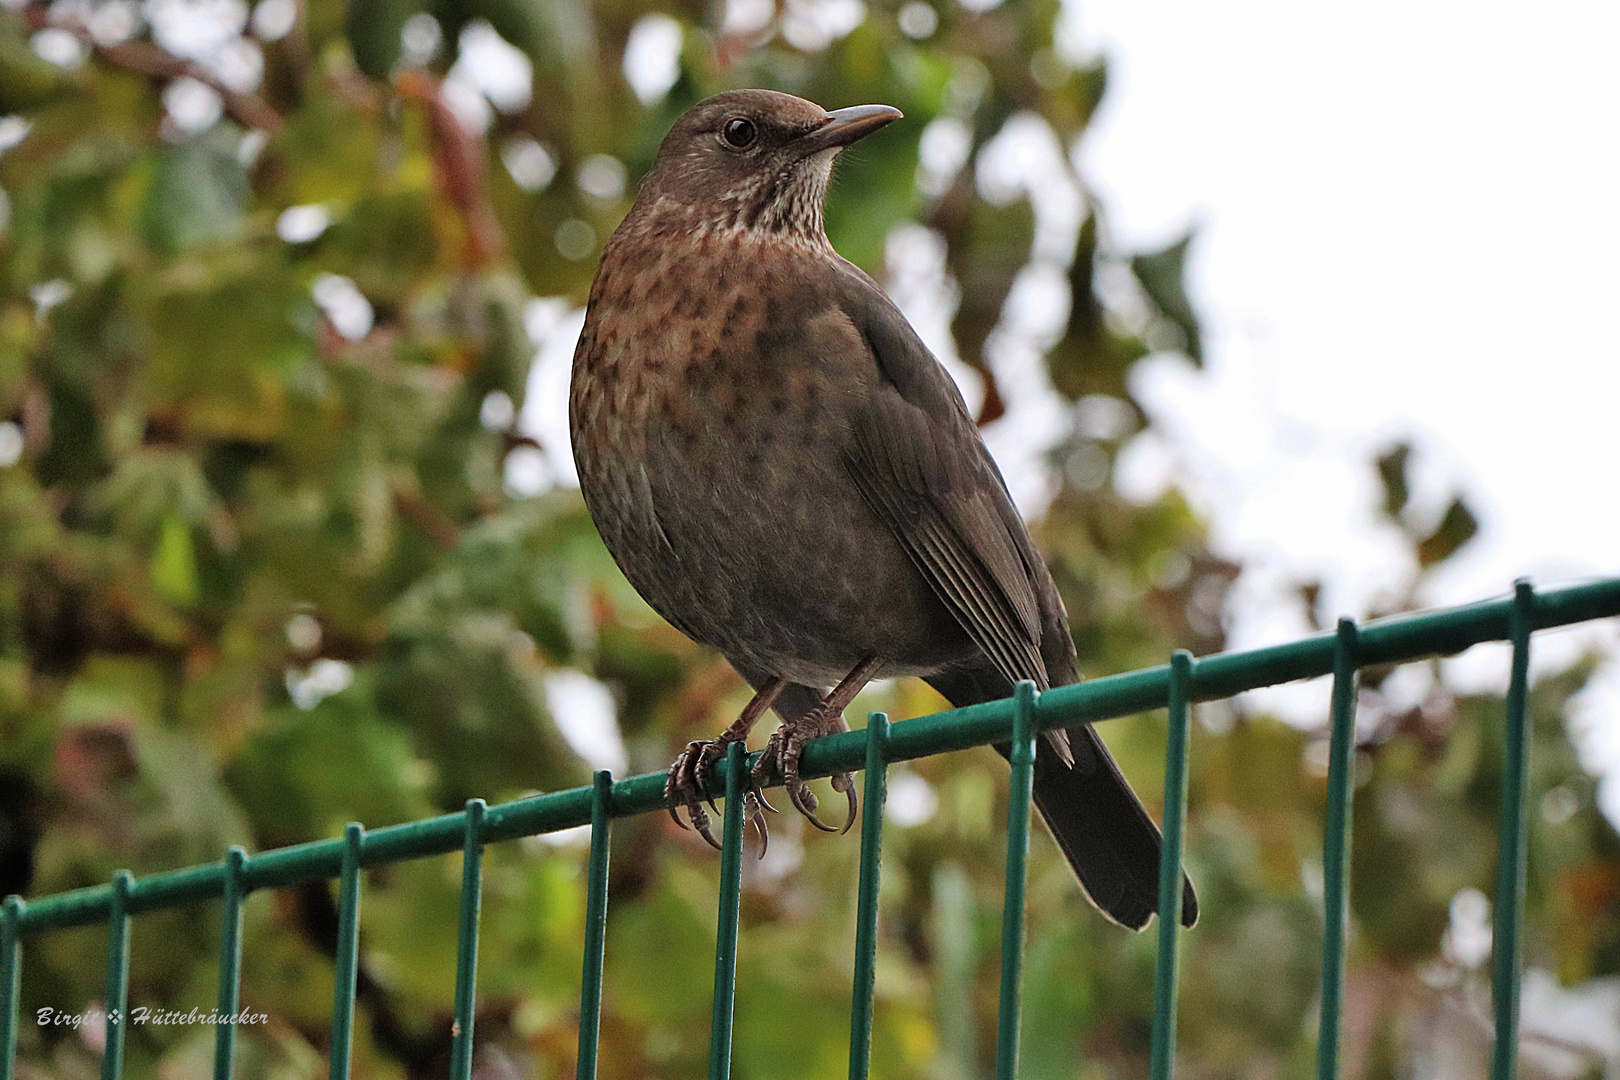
point(725, 344)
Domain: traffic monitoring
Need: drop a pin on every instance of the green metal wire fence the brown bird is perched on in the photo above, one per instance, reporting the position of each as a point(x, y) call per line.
point(1018, 720)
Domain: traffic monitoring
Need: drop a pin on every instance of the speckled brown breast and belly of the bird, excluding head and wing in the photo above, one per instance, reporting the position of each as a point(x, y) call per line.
point(710, 415)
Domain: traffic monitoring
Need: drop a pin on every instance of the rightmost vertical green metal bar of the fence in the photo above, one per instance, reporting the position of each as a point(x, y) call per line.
point(1511, 867)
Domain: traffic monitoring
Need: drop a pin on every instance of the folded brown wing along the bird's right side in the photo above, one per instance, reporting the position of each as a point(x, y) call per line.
point(923, 467)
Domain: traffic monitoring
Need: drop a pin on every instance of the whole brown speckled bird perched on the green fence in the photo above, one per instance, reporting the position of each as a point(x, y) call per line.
point(787, 474)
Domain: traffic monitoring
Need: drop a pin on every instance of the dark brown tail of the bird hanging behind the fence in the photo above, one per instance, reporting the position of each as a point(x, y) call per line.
point(1094, 817)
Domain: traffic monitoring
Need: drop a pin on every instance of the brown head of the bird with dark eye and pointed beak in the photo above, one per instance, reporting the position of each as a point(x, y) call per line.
point(752, 161)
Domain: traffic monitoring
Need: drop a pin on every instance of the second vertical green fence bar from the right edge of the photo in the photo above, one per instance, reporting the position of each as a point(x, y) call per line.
point(1336, 846)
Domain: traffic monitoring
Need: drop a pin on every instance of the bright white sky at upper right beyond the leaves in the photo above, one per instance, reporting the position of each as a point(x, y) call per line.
point(1409, 229)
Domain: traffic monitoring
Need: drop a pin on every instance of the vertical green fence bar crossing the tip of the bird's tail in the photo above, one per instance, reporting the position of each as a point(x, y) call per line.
point(1162, 1061)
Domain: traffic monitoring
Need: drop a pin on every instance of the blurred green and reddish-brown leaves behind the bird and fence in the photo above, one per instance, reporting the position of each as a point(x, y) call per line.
point(263, 571)
